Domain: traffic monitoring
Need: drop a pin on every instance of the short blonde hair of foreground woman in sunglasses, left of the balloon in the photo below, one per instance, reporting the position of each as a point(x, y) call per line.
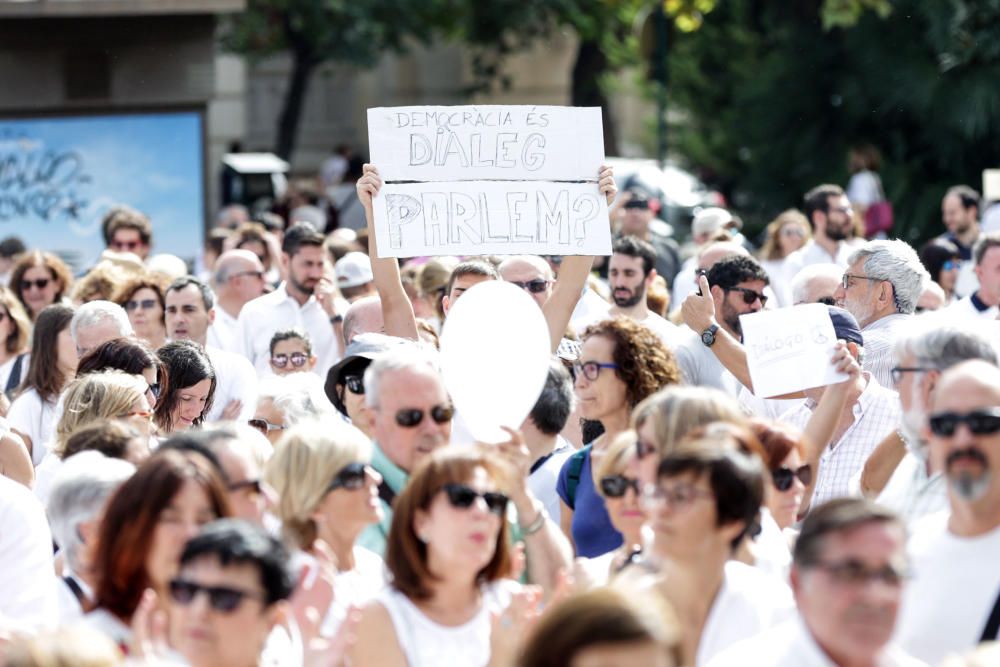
point(305, 461)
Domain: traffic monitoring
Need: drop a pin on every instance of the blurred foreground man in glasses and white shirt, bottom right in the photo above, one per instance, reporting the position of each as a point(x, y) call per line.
point(847, 576)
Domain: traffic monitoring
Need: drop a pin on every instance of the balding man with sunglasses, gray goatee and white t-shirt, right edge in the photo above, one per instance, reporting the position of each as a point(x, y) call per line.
point(953, 602)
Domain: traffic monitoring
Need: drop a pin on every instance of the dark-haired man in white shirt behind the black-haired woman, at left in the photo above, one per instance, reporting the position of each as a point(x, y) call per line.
point(190, 311)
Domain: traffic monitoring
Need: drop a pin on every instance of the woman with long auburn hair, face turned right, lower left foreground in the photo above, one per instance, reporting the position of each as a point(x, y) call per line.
point(145, 526)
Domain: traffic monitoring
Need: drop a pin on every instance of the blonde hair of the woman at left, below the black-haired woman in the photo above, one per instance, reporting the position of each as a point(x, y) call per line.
point(89, 398)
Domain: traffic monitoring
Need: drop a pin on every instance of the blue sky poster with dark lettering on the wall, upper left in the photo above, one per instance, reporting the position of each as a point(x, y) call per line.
point(59, 175)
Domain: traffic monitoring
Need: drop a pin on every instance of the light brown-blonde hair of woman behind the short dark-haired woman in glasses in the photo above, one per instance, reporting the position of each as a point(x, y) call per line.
point(675, 411)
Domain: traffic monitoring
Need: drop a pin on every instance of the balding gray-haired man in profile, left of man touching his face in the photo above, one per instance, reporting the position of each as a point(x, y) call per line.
point(238, 279)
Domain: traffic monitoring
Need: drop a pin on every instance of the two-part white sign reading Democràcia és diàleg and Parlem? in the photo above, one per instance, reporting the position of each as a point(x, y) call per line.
point(500, 180)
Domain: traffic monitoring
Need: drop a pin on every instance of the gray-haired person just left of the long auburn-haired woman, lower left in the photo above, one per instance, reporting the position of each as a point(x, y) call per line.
point(80, 489)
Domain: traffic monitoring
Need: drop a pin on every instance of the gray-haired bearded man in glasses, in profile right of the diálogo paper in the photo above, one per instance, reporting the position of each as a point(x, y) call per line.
point(880, 288)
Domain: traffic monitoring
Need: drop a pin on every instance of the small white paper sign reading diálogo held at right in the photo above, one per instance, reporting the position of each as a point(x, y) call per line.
point(790, 349)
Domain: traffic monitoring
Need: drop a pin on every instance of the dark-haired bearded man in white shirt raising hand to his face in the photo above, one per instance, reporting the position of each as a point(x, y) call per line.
point(305, 300)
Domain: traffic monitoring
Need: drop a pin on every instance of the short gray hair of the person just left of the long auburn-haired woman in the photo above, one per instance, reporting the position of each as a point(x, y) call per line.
point(82, 485)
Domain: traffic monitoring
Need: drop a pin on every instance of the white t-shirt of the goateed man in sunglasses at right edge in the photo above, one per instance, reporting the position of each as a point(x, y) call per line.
point(955, 582)
